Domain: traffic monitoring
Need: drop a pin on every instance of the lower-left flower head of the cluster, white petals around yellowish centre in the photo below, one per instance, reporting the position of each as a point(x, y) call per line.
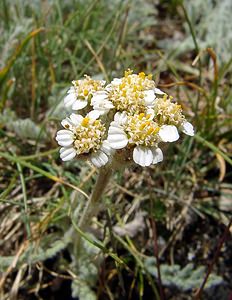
point(83, 135)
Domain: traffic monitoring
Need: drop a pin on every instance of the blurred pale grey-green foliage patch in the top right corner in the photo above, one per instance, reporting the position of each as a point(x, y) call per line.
point(209, 19)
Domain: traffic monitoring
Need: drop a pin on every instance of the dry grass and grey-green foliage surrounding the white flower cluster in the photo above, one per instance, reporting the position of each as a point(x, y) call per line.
point(163, 229)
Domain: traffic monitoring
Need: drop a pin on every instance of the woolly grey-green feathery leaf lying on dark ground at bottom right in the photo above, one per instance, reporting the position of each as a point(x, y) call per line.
point(186, 279)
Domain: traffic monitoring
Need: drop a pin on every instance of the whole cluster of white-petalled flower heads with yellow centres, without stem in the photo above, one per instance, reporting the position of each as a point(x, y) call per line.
point(130, 113)
